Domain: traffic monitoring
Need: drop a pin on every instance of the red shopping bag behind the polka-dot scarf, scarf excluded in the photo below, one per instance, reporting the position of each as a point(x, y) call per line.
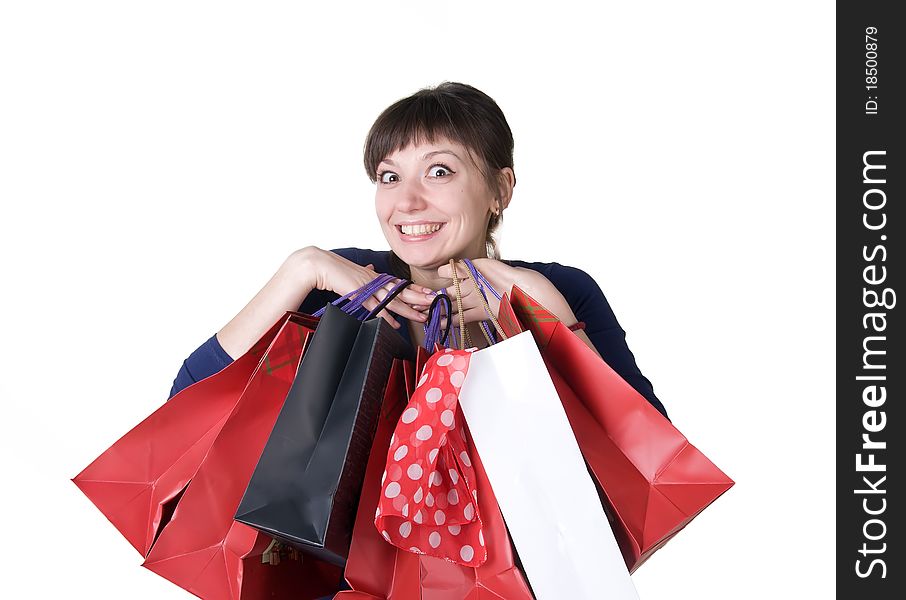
point(378, 570)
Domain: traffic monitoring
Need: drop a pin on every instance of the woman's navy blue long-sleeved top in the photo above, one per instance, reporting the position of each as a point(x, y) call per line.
point(580, 290)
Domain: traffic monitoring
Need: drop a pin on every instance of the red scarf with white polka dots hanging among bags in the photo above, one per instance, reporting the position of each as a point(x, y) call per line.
point(429, 474)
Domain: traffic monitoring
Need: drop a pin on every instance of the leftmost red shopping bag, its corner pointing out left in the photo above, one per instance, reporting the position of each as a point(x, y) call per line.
point(137, 481)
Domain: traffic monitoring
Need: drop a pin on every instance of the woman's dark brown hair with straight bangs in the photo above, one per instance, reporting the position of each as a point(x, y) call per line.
point(458, 112)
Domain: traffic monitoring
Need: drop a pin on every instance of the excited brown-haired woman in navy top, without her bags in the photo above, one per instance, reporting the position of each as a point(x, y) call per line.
point(442, 161)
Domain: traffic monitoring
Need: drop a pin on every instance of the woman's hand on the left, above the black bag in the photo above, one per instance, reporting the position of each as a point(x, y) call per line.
point(334, 273)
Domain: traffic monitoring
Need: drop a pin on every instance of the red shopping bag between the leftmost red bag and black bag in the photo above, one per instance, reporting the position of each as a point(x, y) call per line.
point(202, 549)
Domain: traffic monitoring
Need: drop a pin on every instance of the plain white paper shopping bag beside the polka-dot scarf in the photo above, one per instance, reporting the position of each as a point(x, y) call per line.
point(548, 500)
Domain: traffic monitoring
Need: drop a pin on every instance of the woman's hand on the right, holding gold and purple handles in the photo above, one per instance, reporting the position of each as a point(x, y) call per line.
point(503, 277)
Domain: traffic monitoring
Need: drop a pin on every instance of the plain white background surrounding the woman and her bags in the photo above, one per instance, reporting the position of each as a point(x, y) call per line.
point(159, 160)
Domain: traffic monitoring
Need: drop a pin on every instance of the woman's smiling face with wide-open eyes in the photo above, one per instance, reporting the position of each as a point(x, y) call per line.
point(433, 204)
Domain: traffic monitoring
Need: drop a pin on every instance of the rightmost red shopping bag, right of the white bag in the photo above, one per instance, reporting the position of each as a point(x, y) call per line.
point(654, 481)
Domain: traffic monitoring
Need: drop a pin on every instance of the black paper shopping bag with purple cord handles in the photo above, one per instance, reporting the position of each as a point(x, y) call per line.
point(305, 488)
